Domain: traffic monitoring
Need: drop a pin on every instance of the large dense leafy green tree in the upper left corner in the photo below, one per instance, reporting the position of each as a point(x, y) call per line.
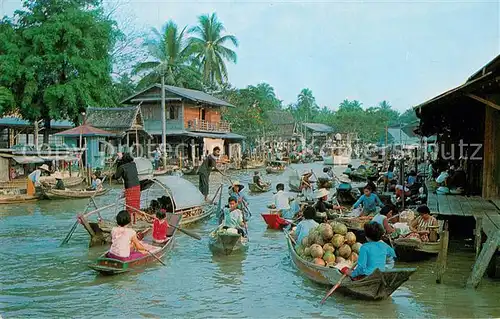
point(64, 64)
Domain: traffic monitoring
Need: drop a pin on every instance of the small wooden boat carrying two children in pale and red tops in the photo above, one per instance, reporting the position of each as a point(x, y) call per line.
point(111, 266)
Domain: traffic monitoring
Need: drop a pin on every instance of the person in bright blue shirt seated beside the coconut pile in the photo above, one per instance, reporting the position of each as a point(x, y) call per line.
point(374, 254)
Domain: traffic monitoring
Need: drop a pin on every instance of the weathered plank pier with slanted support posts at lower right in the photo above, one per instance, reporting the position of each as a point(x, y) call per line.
point(487, 216)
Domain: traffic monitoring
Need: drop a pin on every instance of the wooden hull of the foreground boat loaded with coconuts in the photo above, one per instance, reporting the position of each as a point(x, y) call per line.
point(377, 286)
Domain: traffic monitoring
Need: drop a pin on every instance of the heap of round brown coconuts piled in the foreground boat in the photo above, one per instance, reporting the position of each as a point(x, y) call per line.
point(329, 245)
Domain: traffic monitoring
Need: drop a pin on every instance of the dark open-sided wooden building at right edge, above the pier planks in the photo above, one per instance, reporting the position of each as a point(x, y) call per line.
point(466, 121)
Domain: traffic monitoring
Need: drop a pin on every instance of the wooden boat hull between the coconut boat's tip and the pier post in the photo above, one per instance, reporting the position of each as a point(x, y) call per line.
point(410, 250)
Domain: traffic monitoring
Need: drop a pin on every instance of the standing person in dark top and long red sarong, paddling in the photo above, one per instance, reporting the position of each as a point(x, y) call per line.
point(127, 170)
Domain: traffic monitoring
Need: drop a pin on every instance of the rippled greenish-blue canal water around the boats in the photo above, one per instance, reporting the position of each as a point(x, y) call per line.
point(40, 279)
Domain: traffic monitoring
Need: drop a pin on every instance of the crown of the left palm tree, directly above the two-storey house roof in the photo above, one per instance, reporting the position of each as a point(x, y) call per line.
point(171, 57)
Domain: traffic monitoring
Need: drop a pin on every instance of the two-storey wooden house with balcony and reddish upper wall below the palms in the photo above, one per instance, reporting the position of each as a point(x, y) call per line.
point(193, 122)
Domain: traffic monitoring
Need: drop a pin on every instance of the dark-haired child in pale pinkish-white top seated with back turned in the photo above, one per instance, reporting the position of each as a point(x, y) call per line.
point(124, 242)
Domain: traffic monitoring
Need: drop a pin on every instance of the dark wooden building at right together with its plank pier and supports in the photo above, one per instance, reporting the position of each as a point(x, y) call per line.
point(466, 122)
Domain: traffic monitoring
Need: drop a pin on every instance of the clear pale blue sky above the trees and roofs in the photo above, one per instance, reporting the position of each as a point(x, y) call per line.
point(404, 52)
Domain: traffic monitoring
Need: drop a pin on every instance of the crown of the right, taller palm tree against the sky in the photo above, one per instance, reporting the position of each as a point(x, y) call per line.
point(210, 50)
